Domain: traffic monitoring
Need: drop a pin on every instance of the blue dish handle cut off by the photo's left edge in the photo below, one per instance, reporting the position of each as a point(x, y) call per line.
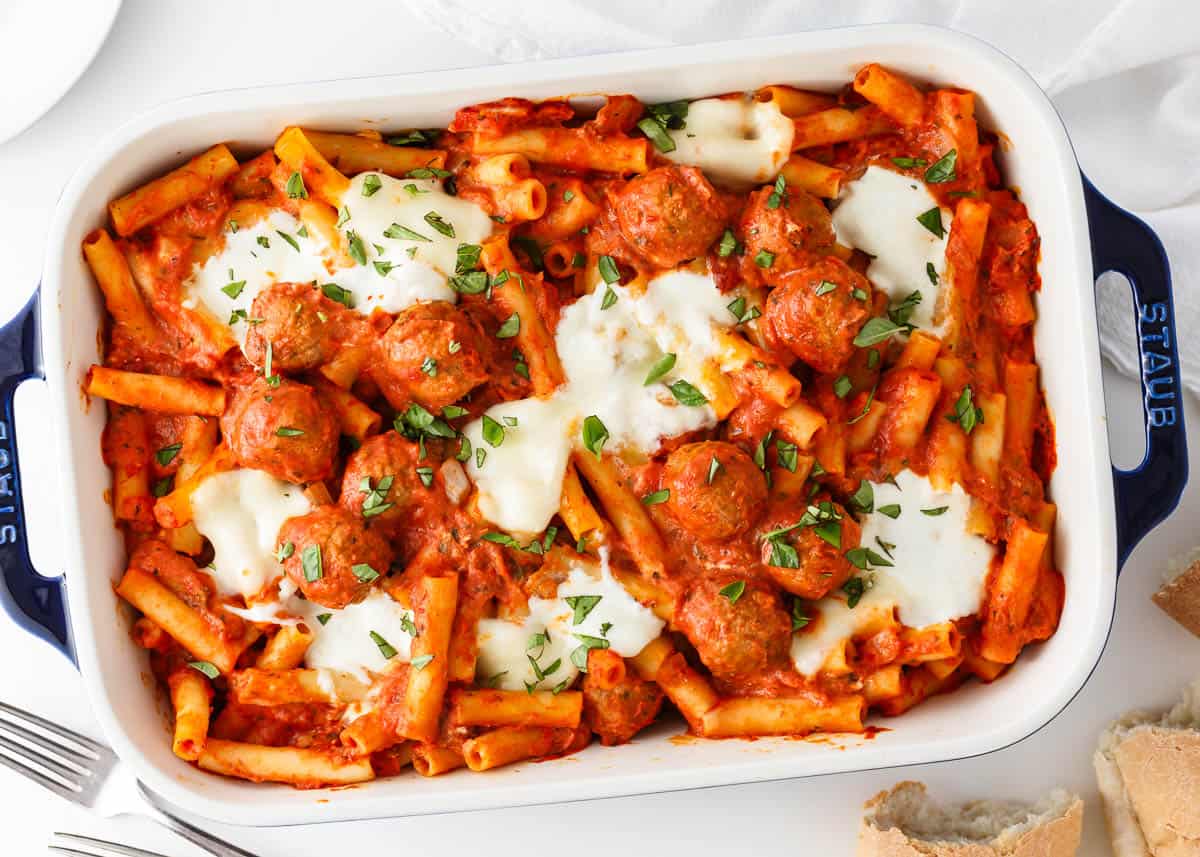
point(35, 603)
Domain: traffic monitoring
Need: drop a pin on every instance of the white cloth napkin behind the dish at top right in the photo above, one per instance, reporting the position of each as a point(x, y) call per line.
point(1124, 74)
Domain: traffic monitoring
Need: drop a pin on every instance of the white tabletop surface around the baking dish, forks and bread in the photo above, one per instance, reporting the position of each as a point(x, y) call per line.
point(160, 51)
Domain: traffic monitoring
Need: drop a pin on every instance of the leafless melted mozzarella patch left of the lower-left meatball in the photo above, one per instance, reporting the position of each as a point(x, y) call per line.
point(241, 513)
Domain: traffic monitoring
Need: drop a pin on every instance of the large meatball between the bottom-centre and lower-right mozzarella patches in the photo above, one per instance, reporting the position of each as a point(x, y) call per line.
point(735, 636)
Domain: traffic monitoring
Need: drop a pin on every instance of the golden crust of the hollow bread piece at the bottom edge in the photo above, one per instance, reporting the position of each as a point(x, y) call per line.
point(1059, 837)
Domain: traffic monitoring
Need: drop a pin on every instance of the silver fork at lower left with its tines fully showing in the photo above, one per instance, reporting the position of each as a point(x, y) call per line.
point(86, 772)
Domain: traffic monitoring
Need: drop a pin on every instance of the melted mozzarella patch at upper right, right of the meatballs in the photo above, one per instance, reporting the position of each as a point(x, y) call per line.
point(878, 214)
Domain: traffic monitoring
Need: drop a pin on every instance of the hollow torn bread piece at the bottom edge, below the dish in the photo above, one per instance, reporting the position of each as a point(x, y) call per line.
point(905, 823)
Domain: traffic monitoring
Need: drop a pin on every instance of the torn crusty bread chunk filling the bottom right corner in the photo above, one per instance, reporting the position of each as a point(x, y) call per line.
point(1149, 772)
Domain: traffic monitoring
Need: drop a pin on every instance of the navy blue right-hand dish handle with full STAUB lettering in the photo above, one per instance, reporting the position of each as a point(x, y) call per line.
point(1148, 494)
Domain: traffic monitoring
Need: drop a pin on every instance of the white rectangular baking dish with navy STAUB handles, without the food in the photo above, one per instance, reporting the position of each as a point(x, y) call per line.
point(1102, 513)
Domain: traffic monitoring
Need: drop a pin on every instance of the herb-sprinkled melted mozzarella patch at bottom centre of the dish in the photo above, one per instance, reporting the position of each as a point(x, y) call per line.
point(505, 649)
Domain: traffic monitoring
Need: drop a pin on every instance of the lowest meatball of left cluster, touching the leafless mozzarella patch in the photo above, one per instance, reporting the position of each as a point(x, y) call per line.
point(327, 546)
